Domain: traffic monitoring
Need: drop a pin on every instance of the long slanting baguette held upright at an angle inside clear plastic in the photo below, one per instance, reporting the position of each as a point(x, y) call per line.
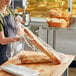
point(50, 53)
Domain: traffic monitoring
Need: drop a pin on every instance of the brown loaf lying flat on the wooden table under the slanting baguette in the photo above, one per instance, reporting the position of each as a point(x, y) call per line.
point(33, 57)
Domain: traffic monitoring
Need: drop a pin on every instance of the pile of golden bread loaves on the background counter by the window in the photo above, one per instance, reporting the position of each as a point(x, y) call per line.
point(58, 18)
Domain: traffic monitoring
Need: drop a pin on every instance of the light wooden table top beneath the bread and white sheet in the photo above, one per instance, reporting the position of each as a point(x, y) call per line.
point(45, 69)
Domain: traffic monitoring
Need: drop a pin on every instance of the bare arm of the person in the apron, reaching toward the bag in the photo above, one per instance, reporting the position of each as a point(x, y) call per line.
point(5, 40)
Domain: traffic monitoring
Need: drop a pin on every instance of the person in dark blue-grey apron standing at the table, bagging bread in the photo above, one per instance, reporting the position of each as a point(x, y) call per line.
point(7, 31)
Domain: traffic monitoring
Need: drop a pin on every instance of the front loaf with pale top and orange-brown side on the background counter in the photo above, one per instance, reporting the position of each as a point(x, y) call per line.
point(55, 22)
